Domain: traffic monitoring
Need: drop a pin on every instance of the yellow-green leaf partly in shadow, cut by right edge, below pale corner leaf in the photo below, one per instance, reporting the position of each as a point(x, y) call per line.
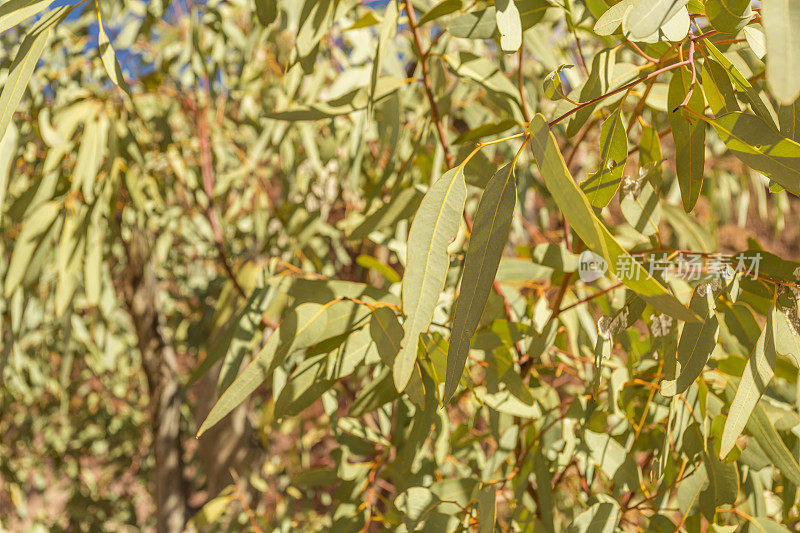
point(761, 147)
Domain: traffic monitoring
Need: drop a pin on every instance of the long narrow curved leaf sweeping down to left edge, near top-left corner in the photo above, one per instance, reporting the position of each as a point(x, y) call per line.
point(24, 64)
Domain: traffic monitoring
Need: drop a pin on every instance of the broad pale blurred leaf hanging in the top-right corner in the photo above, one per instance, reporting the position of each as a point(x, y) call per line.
point(781, 18)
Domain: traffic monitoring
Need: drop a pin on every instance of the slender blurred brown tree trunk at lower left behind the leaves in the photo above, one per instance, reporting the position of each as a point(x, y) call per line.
point(158, 361)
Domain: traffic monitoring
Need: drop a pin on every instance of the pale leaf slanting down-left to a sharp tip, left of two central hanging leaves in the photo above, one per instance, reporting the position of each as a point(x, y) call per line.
point(304, 326)
